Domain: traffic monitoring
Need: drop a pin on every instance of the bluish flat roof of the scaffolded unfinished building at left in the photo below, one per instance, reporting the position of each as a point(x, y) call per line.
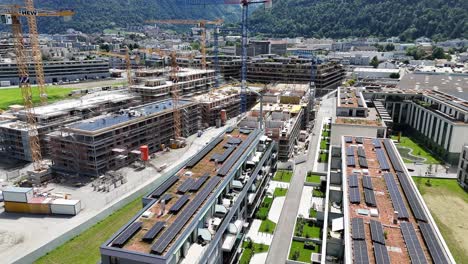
point(105, 121)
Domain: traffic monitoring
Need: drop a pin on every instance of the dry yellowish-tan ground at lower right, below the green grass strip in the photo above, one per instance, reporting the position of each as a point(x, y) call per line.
point(450, 212)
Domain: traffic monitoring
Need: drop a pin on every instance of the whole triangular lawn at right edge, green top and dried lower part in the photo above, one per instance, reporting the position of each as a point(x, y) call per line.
point(448, 204)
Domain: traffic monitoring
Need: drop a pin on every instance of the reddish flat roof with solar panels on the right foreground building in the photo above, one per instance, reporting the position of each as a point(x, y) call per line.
point(387, 215)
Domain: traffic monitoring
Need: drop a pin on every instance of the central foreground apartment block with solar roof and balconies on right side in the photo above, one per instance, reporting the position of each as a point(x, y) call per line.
point(200, 210)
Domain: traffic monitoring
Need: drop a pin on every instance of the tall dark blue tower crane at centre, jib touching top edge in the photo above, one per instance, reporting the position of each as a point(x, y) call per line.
point(245, 12)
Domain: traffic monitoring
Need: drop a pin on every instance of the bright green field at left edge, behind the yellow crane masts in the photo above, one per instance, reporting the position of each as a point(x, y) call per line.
point(13, 96)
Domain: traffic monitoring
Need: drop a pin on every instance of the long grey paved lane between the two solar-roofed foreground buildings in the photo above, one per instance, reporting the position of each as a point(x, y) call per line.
point(279, 247)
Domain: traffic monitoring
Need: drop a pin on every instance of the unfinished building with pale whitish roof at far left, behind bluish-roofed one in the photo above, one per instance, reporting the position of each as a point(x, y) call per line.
point(14, 139)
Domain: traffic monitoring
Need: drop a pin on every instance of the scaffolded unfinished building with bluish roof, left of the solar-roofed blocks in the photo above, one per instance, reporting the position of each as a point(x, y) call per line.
point(107, 142)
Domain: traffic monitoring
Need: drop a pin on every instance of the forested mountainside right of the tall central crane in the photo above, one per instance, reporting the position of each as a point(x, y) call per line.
point(409, 19)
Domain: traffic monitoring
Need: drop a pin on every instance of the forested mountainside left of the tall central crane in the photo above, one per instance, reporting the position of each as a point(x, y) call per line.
point(97, 15)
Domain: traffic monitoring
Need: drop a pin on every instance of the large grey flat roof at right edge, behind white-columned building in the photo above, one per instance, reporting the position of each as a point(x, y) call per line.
point(453, 84)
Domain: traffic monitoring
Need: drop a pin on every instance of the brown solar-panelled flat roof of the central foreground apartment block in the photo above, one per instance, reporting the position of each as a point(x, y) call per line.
point(179, 191)
